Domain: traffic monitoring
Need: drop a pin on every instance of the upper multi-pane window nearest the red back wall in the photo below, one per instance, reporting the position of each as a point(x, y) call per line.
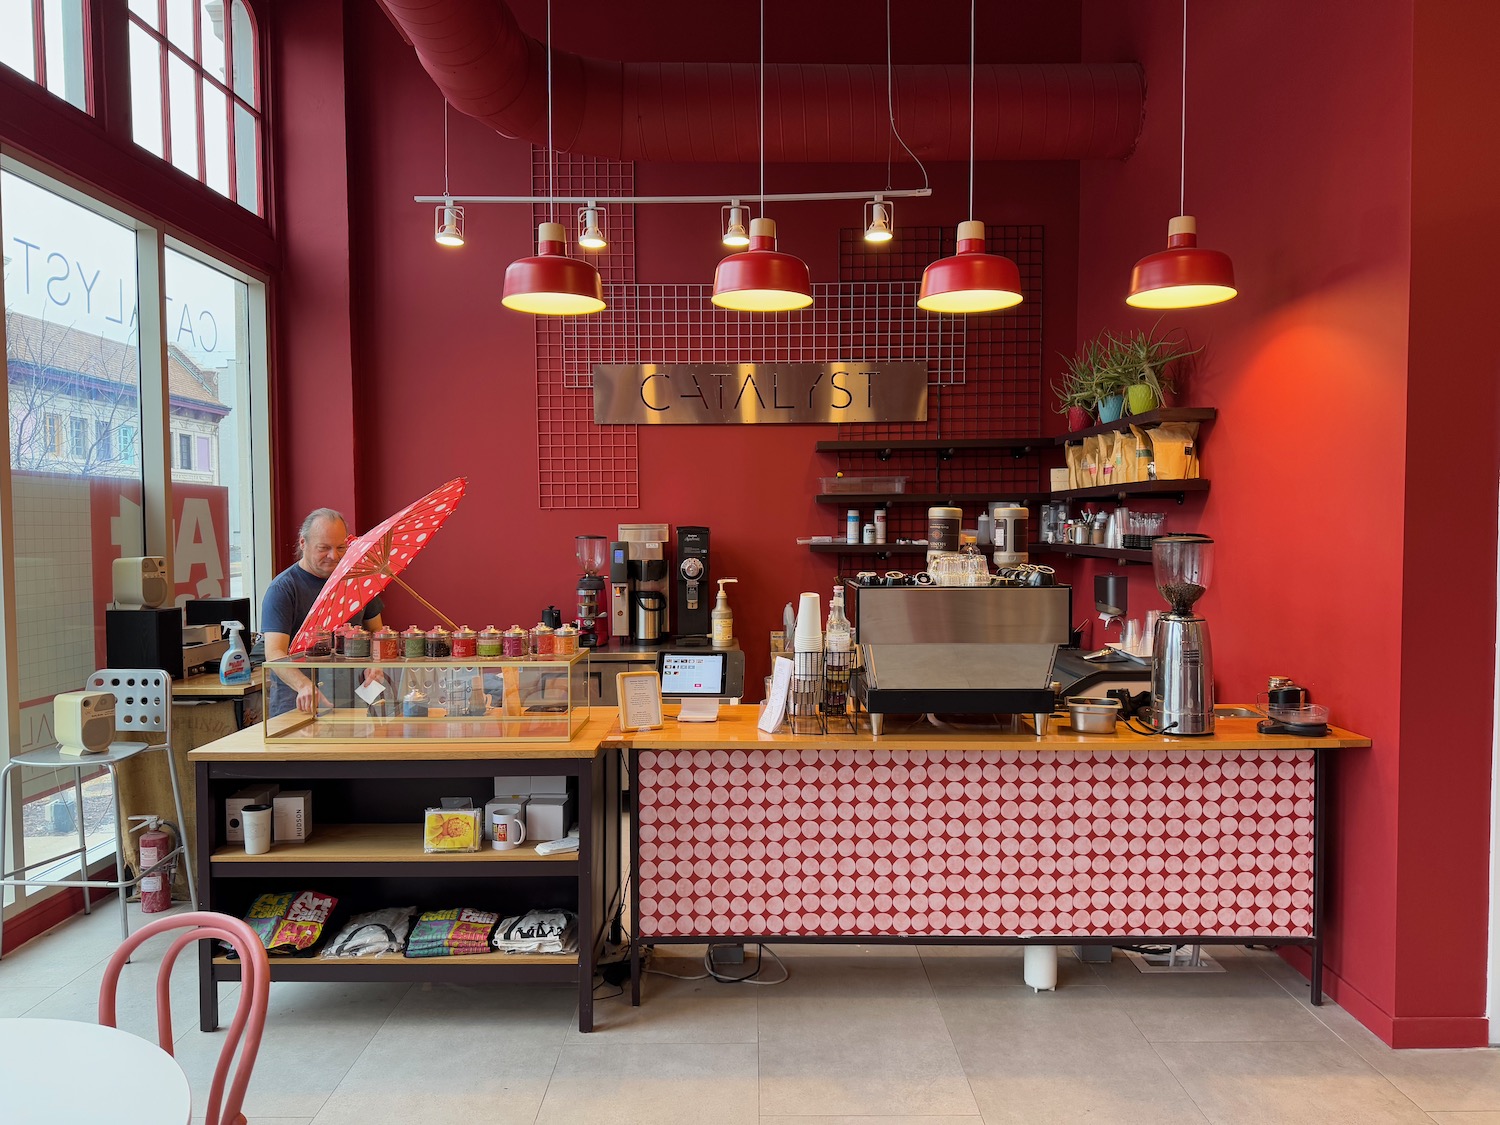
point(194, 98)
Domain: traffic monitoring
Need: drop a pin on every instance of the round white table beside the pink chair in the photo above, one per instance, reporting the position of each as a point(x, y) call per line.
point(64, 1070)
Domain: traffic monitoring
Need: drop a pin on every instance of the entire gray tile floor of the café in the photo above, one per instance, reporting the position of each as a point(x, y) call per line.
point(874, 1036)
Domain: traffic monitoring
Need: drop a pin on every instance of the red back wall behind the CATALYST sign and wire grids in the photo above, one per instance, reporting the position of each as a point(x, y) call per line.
point(445, 379)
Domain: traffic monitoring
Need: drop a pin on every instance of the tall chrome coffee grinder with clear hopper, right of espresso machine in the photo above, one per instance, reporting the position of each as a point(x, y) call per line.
point(1183, 661)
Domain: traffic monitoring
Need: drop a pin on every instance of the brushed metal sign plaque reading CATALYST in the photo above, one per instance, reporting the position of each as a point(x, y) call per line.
point(757, 394)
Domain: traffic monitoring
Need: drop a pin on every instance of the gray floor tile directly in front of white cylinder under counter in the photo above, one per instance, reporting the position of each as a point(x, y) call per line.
point(1066, 1057)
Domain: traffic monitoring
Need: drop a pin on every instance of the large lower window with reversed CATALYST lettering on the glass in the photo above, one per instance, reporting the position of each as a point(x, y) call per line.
point(121, 442)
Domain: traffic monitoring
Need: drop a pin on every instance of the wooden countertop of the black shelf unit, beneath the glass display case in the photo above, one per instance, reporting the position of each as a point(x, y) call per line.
point(253, 746)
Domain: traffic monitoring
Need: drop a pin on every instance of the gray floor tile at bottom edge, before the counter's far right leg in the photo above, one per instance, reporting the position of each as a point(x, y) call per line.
point(1319, 1084)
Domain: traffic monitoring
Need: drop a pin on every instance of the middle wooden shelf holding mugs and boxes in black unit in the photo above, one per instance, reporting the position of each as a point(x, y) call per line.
point(376, 844)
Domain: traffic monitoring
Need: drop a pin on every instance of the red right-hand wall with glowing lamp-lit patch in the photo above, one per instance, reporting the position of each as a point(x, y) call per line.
point(1321, 173)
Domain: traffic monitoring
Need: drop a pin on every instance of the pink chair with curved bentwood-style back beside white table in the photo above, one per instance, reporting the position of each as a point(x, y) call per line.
point(250, 1013)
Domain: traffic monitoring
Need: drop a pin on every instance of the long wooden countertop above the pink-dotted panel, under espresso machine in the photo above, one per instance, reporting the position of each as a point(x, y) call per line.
point(737, 730)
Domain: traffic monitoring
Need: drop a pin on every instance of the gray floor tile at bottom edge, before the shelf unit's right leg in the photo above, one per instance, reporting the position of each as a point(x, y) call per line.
point(628, 1084)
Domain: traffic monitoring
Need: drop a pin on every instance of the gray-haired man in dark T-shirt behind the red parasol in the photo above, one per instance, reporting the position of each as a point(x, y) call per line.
point(289, 601)
